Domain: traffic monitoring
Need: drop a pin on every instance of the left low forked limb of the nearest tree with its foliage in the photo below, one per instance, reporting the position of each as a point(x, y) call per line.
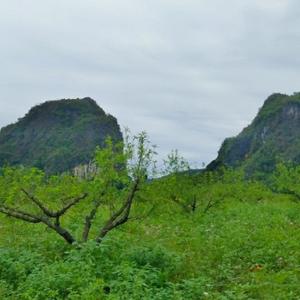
point(28, 195)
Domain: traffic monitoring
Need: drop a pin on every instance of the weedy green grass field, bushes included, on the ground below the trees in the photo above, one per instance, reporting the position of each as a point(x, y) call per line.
point(238, 250)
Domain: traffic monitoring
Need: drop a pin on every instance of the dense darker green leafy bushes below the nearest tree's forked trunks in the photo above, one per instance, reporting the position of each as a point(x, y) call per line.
point(91, 272)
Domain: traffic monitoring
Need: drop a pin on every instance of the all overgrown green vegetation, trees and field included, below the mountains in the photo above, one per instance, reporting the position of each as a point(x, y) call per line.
point(210, 235)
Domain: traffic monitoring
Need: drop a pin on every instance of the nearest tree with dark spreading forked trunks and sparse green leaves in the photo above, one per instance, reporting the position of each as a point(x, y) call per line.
point(122, 169)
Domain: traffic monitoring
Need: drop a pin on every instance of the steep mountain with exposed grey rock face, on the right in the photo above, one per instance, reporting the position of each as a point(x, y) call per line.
point(273, 136)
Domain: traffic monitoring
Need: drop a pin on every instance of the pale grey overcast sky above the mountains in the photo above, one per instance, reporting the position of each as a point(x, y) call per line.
point(189, 72)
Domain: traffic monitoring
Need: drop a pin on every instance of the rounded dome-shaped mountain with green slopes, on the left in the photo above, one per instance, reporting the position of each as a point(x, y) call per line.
point(57, 135)
